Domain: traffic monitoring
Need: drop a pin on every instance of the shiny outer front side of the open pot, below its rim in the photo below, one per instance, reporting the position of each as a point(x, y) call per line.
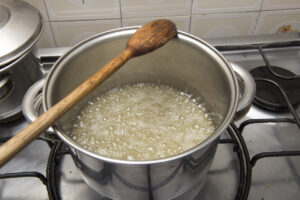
point(162, 180)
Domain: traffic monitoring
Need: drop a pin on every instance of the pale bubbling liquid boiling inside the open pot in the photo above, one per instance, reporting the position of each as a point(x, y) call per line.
point(142, 122)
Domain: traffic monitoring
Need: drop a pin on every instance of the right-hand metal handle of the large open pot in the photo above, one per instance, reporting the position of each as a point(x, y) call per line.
point(247, 89)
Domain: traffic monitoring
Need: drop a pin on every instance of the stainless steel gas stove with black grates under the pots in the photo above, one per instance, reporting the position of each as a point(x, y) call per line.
point(258, 156)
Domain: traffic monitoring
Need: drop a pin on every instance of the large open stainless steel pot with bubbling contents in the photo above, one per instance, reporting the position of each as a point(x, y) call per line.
point(186, 63)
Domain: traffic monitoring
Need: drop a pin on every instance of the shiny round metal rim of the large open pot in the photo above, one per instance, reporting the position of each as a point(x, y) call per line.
point(215, 136)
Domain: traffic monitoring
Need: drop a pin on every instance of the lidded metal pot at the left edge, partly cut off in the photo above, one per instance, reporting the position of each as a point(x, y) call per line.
point(20, 28)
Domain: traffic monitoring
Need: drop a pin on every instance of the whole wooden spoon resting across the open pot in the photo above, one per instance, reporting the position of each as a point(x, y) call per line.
point(146, 39)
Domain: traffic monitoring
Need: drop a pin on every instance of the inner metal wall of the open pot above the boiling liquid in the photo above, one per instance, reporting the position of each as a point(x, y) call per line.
point(185, 62)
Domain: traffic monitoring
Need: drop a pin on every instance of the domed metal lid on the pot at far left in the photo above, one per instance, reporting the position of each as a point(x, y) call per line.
point(20, 27)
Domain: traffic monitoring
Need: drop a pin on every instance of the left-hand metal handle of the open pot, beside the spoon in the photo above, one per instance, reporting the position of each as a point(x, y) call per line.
point(31, 105)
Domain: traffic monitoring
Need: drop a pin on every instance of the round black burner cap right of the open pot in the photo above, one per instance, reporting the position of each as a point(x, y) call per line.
point(268, 95)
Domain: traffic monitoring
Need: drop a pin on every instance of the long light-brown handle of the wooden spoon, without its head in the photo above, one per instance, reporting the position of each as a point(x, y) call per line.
point(33, 130)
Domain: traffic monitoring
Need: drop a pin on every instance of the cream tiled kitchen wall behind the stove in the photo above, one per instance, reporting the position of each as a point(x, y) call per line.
point(66, 22)
